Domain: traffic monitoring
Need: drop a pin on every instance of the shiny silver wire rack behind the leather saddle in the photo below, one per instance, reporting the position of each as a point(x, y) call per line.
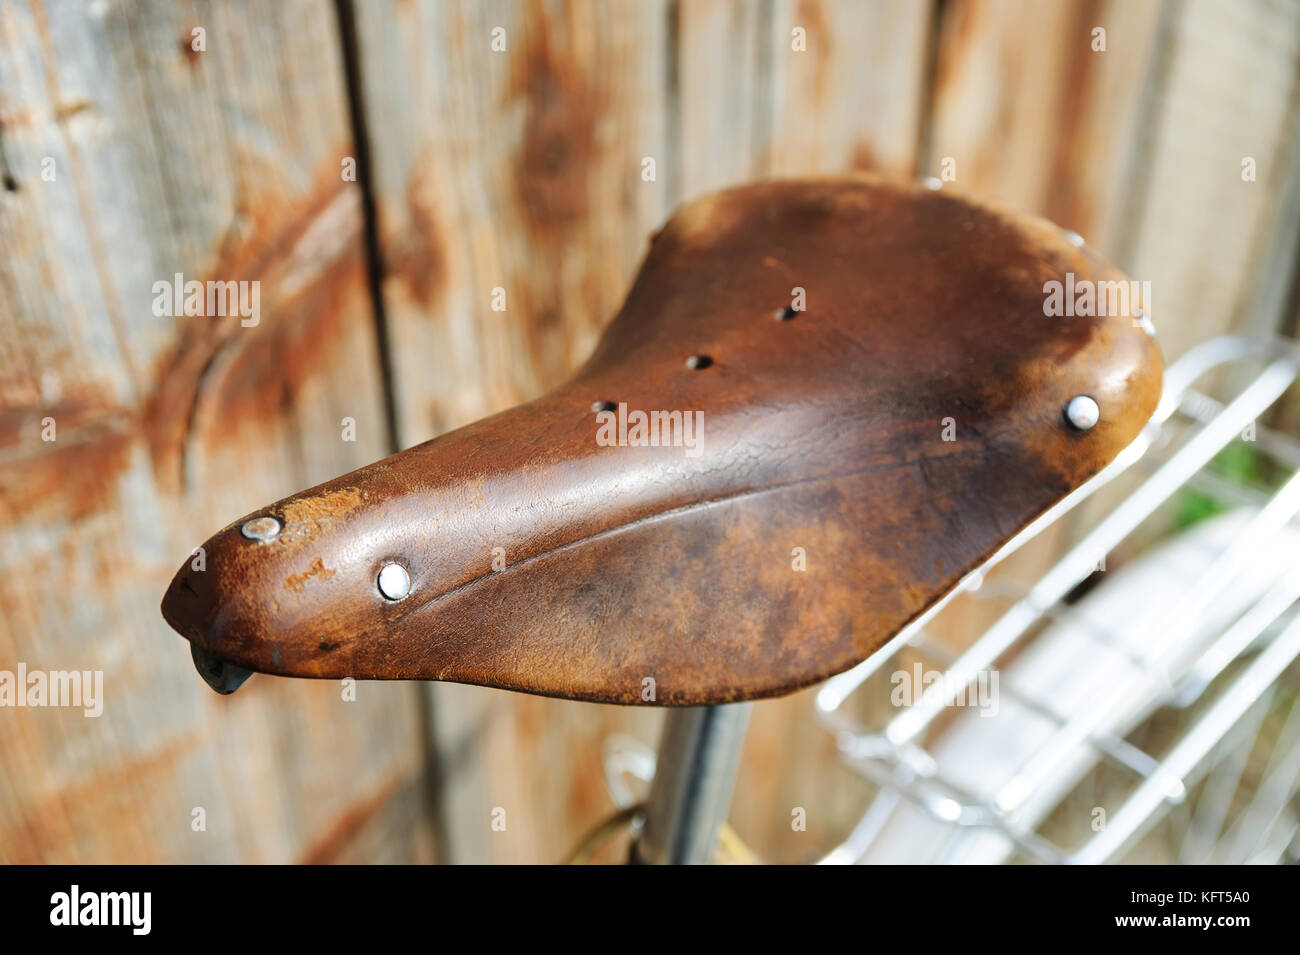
point(1146, 711)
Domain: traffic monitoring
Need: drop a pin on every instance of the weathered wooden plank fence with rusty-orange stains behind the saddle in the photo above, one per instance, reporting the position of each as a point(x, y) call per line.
point(380, 168)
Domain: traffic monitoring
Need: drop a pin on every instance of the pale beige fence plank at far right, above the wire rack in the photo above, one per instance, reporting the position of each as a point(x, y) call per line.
point(1201, 232)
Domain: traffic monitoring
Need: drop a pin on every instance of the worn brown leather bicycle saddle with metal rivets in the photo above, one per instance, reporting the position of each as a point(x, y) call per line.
point(847, 465)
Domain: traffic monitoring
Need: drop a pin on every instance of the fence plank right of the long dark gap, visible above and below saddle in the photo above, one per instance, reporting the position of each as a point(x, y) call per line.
point(512, 171)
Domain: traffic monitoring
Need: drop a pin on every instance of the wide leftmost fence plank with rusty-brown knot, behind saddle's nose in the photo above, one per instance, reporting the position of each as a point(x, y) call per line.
point(223, 164)
